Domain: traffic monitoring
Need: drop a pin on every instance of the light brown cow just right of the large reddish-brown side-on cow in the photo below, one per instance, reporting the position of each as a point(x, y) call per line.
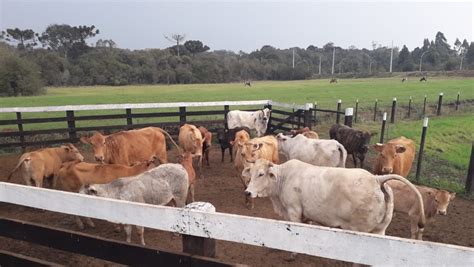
point(190, 140)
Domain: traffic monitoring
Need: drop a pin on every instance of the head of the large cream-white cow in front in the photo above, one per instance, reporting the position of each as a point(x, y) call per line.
point(263, 178)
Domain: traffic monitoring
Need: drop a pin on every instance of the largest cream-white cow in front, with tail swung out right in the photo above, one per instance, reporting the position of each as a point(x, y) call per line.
point(351, 199)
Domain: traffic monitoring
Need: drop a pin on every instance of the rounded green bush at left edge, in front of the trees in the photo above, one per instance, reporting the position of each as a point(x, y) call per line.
point(19, 77)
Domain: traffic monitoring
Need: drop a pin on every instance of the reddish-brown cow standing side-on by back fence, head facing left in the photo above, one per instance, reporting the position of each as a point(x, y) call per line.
point(128, 147)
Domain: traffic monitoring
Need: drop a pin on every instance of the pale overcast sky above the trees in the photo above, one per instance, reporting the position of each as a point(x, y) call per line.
point(248, 25)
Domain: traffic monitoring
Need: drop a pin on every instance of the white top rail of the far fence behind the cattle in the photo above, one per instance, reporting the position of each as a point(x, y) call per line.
point(152, 105)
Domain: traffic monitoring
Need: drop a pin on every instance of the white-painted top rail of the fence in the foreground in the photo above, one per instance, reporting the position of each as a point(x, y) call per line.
point(295, 237)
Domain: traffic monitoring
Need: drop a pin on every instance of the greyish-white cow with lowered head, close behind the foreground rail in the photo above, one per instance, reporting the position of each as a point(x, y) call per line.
point(158, 186)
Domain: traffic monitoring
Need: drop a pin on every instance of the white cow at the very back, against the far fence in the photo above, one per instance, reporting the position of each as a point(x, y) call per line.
point(257, 120)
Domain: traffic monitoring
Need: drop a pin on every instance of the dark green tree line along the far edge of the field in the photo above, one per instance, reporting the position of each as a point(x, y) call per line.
point(60, 56)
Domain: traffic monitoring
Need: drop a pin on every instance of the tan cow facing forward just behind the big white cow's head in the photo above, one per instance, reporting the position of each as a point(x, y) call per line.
point(249, 151)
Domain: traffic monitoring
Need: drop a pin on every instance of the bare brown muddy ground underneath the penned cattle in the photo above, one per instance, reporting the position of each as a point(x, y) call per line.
point(223, 189)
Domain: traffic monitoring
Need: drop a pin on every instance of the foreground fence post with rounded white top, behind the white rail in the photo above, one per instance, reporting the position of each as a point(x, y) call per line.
point(195, 245)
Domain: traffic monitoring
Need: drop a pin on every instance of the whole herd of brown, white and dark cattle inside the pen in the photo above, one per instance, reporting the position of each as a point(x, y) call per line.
point(304, 176)
